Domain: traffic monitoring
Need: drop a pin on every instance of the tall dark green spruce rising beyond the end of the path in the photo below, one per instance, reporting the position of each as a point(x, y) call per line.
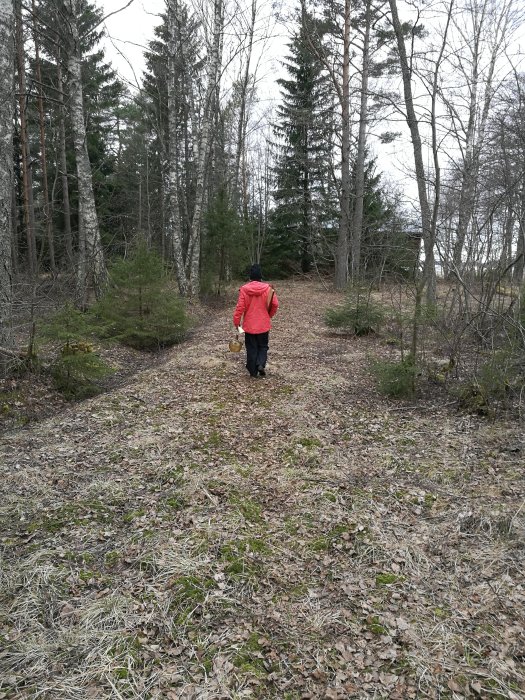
point(305, 202)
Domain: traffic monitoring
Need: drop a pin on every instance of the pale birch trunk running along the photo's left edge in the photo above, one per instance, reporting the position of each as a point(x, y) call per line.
point(7, 48)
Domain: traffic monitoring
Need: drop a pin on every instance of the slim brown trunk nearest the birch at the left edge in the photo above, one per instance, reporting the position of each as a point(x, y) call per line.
point(27, 180)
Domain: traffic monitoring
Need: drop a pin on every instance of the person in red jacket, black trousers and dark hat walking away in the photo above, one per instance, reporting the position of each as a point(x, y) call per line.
point(256, 305)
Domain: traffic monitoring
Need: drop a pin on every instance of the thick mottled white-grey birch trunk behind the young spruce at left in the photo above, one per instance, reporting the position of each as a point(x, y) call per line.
point(91, 270)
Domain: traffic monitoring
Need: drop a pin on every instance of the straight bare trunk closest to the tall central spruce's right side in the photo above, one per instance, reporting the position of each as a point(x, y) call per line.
point(341, 258)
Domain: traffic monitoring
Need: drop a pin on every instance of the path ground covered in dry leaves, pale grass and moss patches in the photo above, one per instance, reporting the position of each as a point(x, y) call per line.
point(195, 534)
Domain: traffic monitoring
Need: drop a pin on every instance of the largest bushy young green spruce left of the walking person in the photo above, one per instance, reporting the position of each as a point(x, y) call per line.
point(141, 308)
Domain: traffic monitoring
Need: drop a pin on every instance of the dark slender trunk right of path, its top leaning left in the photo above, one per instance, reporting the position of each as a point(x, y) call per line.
point(429, 268)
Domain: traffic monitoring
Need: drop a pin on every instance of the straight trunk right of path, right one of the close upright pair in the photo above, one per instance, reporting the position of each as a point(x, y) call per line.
point(357, 223)
